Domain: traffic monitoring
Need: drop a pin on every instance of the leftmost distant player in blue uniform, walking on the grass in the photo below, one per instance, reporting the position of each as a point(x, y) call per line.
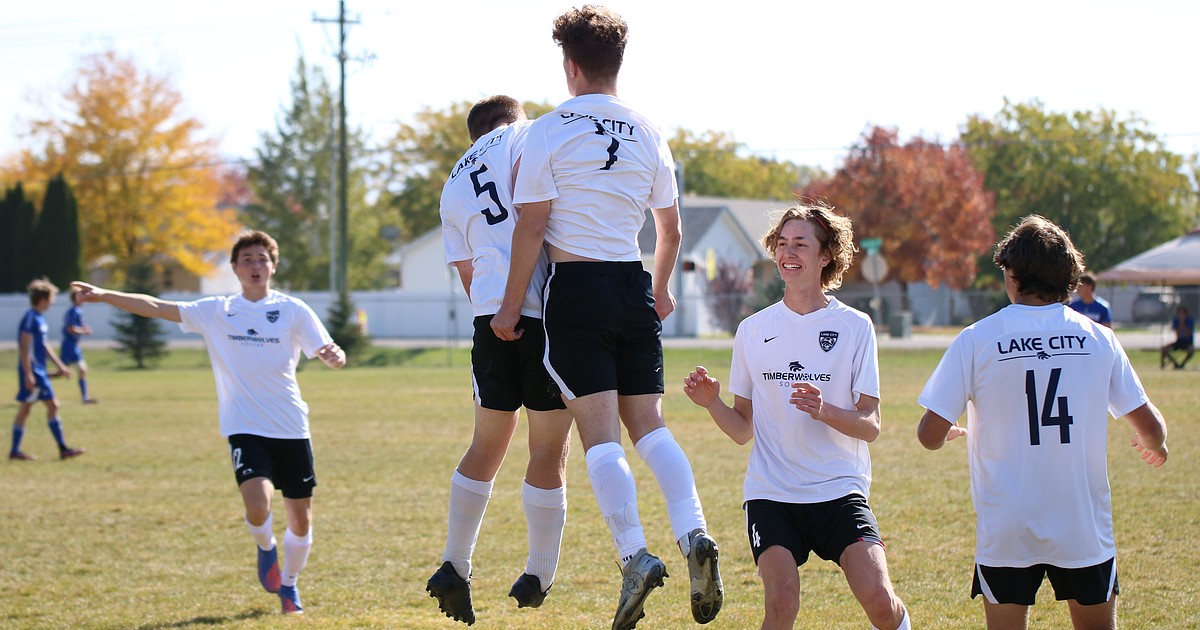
point(33, 381)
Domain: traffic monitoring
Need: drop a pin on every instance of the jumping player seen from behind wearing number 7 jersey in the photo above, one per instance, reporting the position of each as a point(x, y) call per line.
point(589, 173)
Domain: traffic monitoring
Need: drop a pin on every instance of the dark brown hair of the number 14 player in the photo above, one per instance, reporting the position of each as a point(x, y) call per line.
point(1042, 259)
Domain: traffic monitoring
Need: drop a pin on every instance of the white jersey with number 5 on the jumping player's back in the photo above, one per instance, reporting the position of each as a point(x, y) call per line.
point(478, 219)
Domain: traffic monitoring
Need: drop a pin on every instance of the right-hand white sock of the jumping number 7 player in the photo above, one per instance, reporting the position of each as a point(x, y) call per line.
point(671, 469)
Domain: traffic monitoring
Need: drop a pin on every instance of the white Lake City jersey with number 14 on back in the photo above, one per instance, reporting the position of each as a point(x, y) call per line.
point(1039, 385)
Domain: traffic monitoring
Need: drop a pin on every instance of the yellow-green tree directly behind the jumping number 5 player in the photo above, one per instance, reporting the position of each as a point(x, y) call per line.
point(418, 159)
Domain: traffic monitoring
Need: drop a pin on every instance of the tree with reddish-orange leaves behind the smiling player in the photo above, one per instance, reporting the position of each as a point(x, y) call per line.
point(927, 203)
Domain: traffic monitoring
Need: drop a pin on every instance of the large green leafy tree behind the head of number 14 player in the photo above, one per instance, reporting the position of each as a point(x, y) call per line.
point(1106, 179)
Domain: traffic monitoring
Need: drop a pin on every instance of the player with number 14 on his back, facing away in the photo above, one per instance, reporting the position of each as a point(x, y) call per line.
point(1039, 382)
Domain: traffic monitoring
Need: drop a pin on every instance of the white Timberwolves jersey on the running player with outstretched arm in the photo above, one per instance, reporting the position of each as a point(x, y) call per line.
point(254, 349)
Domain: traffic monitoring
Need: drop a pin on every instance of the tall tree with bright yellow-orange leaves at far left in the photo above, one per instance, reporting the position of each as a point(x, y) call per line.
point(145, 178)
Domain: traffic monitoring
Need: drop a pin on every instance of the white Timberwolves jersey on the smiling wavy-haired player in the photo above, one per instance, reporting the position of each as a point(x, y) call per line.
point(796, 459)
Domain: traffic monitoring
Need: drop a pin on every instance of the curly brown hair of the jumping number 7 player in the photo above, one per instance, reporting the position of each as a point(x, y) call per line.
point(595, 38)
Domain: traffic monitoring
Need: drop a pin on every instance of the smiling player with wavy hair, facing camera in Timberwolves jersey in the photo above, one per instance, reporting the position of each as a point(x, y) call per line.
point(806, 385)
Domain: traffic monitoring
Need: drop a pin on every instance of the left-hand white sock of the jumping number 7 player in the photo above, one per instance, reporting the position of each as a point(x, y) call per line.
point(613, 483)
